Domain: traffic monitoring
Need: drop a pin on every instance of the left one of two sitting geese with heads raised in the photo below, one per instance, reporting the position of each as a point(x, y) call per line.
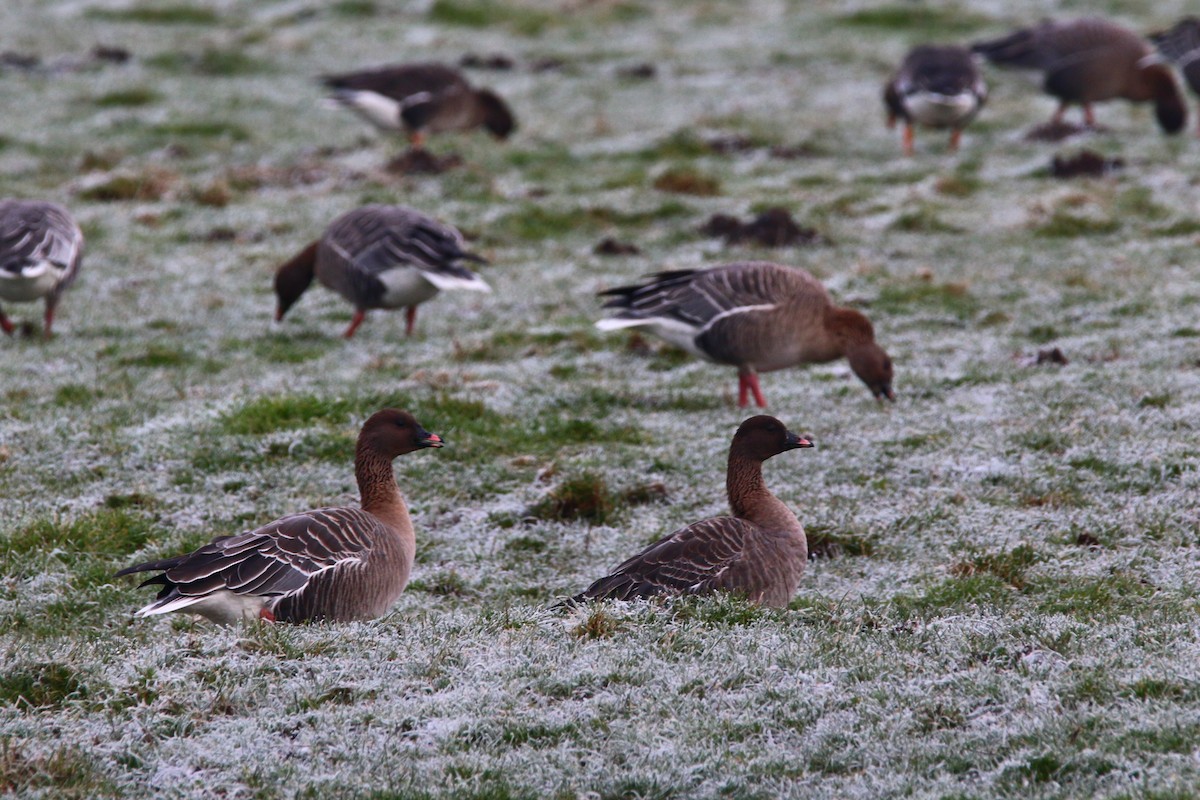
point(329, 564)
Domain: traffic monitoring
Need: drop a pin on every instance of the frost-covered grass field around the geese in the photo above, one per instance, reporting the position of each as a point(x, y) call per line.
point(1005, 600)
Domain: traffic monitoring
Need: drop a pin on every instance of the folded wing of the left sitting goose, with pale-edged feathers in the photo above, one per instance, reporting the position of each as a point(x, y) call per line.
point(278, 560)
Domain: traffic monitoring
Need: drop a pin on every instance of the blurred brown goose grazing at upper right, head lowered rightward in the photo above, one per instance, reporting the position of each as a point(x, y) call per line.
point(1088, 62)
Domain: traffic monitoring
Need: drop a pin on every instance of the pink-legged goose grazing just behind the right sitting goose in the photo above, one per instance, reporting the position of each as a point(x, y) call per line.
point(755, 316)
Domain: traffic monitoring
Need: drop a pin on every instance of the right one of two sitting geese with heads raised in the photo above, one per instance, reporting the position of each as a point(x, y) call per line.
point(759, 552)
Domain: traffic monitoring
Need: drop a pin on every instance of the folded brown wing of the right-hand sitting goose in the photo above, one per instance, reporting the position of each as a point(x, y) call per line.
point(704, 557)
